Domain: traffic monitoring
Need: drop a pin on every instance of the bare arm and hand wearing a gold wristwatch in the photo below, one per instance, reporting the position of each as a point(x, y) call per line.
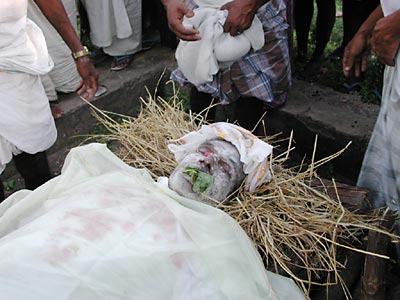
point(55, 13)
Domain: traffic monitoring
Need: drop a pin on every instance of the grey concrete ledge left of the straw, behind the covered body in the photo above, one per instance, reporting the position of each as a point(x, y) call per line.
point(124, 89)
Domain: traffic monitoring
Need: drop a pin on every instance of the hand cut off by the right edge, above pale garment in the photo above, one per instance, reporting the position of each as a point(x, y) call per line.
point(386, 37)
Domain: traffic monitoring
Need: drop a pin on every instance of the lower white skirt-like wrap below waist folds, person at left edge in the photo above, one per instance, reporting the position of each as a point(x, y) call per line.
point(26, 123)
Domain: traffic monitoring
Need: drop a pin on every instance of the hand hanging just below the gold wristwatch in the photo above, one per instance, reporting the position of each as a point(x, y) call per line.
point(87, 71)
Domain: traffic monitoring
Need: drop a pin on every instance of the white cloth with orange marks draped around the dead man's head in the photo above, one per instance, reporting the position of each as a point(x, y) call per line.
point(254, 153)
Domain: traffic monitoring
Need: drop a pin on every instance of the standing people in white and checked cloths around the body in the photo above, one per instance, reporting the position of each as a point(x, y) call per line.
point(232, 53)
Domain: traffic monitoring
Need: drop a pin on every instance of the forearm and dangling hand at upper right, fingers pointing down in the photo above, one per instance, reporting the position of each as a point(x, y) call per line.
point(356, 52)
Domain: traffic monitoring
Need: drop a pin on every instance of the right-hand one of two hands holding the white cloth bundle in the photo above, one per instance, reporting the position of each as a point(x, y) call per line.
point(240, 14)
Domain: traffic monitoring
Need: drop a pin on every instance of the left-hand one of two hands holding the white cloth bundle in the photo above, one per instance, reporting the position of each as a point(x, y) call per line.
point(176, 10)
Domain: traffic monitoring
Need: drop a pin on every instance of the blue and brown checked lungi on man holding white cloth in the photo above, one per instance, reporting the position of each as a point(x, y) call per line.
point(264, 74)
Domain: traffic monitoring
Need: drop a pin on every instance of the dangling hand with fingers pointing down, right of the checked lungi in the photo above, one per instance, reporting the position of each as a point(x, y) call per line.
point(356, 55)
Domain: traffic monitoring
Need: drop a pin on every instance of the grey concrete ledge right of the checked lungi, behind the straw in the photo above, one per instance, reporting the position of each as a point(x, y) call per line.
point(336, 118)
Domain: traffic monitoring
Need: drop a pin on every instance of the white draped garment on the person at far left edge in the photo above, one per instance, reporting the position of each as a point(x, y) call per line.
point(26, 123)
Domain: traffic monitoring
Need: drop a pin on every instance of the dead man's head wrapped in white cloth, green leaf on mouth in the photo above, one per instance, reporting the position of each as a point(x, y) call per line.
point(214, 160)
